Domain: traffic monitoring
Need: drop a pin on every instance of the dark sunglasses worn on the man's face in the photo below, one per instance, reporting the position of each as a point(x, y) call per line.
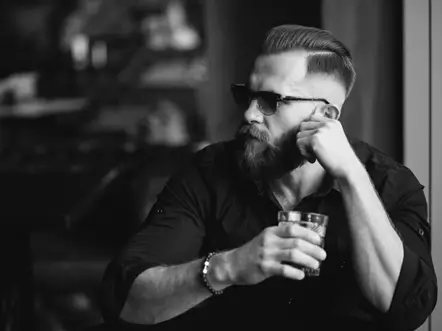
point(268, 102)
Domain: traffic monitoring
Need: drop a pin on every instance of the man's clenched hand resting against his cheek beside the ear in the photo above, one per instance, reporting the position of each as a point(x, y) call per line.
point(324, 139)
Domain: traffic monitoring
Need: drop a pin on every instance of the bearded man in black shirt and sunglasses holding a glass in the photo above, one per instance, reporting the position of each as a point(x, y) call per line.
point(211, 255)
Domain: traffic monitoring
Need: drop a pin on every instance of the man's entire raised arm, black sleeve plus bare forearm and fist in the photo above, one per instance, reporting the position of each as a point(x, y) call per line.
point(393, 263)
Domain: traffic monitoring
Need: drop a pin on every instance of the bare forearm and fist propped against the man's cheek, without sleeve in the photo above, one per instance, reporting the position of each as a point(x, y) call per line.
point(376, 247)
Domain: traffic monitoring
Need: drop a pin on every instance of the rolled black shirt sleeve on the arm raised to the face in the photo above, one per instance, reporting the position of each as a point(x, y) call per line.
point(416, 291)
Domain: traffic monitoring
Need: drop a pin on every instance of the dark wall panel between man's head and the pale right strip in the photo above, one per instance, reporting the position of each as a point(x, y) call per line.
point(372, 30)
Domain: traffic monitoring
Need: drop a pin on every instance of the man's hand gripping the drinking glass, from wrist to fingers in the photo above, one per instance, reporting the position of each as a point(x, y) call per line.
point(269, 253)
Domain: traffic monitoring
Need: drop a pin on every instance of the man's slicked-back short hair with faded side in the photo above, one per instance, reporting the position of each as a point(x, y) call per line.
point(326, 53)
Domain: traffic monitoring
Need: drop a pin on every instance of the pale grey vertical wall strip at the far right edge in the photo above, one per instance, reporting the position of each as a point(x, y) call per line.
point(422, 117)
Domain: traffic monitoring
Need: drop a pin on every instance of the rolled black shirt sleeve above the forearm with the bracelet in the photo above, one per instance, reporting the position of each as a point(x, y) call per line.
point(173, 233)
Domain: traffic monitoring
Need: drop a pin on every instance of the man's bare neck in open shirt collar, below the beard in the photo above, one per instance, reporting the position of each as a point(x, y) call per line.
point(291, 188)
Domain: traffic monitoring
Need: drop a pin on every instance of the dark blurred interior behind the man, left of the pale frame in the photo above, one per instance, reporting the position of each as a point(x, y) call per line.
point(101, 101)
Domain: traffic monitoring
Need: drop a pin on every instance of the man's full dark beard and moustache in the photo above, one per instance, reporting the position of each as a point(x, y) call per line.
point(259, 159)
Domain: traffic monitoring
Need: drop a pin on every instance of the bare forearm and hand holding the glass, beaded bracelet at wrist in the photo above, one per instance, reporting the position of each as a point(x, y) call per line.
point(161, 293)
